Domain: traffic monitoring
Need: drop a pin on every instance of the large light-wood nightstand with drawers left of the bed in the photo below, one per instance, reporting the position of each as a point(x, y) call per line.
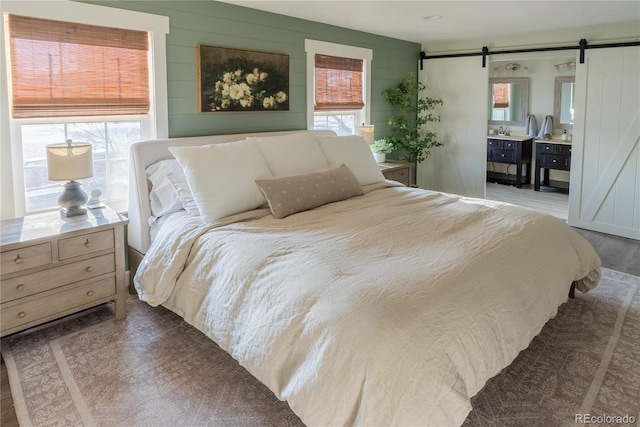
point(54, 266)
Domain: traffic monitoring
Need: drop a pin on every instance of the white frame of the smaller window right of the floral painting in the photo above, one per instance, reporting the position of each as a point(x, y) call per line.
point(313, 47)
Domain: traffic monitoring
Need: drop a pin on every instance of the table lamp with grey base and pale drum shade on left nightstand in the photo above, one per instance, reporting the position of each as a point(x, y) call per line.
point(69, 162)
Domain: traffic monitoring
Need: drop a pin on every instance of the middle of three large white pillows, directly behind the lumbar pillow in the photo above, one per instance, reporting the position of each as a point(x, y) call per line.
point(293, 154)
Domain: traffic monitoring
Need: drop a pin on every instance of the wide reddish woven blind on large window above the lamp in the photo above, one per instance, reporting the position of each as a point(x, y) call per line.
point(62, 69)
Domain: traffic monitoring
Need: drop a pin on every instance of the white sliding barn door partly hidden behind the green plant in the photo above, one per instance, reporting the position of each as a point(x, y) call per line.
point(460, 165)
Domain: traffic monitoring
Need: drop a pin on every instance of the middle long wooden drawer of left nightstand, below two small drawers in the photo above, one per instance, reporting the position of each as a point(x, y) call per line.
point(34, 283)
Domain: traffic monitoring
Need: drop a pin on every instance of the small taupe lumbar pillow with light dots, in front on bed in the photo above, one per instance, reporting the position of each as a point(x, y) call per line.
point(293, 194)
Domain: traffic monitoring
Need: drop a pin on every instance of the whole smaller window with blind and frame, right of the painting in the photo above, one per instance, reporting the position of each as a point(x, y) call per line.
point(338, 87)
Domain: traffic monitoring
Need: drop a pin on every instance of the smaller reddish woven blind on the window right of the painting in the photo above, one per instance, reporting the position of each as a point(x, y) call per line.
point(338, 83)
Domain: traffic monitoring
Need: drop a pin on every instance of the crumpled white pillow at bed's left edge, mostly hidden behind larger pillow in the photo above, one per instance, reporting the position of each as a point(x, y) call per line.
point(163, 197)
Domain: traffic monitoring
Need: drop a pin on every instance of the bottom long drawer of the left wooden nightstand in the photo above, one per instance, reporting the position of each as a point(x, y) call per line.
point(34, 309)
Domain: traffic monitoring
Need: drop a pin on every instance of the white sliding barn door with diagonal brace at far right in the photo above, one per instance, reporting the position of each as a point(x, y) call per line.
point(605, 163)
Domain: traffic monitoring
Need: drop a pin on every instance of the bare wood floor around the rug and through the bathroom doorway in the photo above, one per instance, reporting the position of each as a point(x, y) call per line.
point(617, 253)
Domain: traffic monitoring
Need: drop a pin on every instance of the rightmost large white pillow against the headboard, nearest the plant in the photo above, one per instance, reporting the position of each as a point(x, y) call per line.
point(353, 151)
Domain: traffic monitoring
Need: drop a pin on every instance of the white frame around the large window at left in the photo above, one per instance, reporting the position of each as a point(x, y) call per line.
point(156, 121)
